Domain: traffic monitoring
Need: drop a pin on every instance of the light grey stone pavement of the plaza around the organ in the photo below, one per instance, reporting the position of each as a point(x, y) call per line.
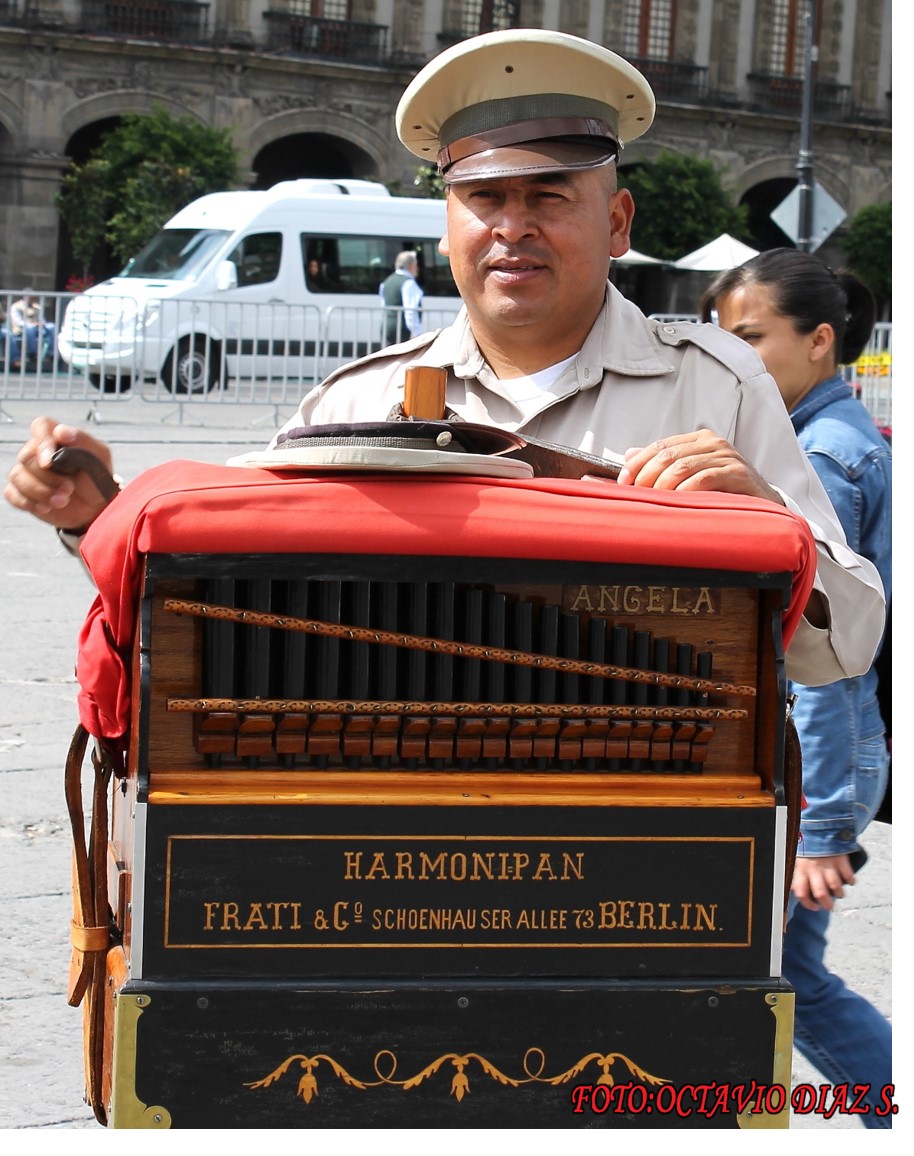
point(46, 597)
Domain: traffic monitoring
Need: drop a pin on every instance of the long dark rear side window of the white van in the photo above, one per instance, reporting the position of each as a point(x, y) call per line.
point(359, 265)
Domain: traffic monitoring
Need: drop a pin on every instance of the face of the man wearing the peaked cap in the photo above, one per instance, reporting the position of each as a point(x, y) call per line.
point(534, 251)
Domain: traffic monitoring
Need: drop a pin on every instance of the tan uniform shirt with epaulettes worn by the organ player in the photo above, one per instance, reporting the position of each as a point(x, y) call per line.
point(634, 382)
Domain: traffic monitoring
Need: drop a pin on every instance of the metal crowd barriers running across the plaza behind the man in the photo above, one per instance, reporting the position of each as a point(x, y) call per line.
point(242, 353)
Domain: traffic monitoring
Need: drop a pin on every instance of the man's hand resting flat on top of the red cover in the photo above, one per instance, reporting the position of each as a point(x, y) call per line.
point(695, 462)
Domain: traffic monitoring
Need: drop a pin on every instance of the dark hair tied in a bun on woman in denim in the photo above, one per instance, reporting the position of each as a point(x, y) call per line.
point(807, 292)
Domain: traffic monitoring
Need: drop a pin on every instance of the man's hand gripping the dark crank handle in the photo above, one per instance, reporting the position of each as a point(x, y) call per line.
point(66, 503)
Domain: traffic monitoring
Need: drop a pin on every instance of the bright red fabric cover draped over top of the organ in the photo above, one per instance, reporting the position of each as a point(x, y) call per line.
point(194, 508)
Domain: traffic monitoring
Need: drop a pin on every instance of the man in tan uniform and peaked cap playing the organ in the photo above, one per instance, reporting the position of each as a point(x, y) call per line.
point(527, 127)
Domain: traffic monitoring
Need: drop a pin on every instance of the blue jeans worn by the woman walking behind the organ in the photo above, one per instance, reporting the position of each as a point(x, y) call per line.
point(839, 1033)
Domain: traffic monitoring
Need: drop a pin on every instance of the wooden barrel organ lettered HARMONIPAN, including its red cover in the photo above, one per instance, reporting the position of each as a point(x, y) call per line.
point(435, 834)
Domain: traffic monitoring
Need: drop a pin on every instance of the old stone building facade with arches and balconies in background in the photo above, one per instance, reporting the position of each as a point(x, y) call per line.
point(310, 87)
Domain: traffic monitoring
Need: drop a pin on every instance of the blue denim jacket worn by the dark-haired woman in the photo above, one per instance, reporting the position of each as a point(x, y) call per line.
point(842, 732)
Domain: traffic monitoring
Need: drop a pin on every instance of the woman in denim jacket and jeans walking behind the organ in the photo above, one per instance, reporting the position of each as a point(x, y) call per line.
point(807, 322)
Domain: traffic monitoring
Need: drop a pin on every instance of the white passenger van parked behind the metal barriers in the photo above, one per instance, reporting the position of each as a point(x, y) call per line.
point(280, 284)
